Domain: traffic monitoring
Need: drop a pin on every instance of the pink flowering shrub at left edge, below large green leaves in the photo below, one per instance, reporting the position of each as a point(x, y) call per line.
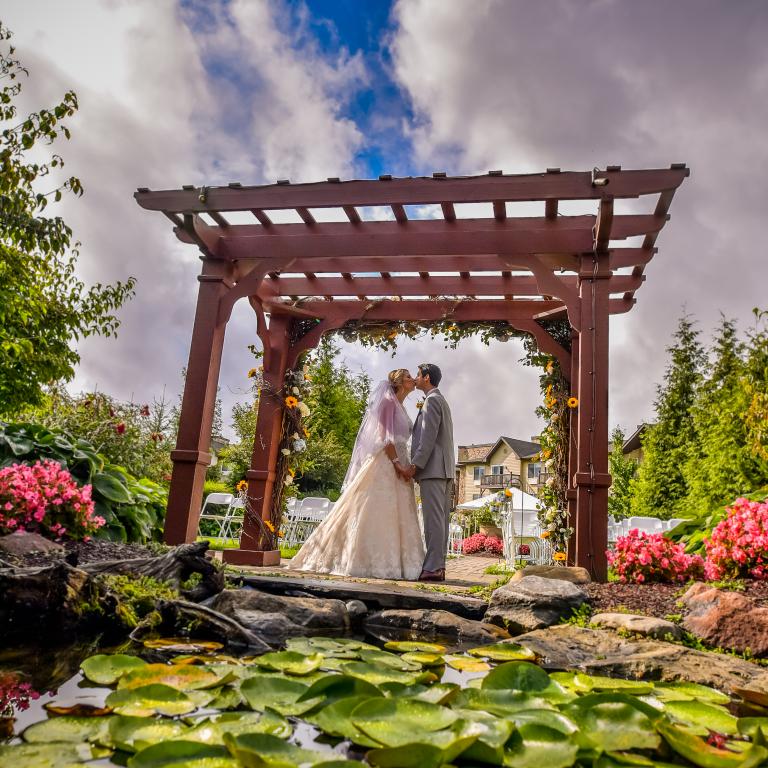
point(45, 498)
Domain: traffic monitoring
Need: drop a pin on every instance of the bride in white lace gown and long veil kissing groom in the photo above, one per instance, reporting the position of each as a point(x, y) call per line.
point(373, 529)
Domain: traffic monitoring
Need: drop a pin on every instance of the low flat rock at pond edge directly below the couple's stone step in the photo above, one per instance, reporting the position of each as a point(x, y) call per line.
point(425, 622)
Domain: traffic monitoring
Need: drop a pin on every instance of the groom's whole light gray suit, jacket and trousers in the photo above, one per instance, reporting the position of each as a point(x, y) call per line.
point(432, 454)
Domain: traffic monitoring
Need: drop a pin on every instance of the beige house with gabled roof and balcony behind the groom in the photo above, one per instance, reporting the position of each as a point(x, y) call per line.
point(484, 468)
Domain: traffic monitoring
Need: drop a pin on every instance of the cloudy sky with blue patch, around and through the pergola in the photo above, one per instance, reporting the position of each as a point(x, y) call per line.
point(207, 92)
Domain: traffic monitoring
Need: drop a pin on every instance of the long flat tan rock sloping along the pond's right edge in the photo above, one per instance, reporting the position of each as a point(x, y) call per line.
point(602, 652)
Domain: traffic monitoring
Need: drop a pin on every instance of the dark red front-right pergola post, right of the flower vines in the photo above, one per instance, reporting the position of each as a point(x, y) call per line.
point(591, 478)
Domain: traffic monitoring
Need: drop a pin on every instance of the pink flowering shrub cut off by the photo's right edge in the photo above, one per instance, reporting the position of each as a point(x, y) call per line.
point(738, 546)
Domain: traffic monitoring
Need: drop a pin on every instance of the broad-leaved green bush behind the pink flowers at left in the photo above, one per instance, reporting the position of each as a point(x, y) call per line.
point(134, 510)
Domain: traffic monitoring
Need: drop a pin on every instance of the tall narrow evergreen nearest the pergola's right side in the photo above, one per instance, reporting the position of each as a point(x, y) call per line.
point(661, 486)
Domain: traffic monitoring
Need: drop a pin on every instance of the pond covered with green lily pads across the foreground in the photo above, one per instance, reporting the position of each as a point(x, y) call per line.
point(328, 701)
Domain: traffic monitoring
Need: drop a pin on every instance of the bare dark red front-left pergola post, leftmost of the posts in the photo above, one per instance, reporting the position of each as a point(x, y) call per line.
point(191, 456)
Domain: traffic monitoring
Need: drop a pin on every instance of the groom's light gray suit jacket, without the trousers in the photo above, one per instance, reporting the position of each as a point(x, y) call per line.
point(432, 440)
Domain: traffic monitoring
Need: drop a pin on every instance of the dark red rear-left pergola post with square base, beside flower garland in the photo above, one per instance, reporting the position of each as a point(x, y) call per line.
point(261, 476)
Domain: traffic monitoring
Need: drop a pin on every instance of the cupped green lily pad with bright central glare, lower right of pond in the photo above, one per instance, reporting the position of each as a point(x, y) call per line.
point(610, 723)
